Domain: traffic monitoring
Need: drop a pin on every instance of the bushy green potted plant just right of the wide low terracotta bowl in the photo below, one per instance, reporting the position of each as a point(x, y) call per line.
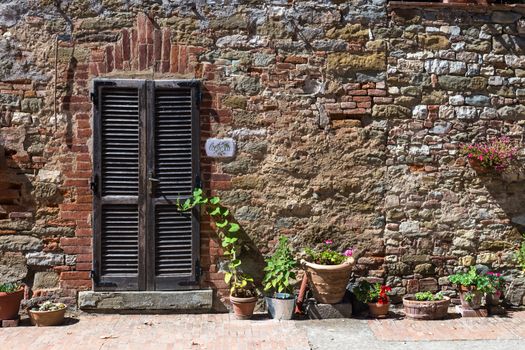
point(472, 287)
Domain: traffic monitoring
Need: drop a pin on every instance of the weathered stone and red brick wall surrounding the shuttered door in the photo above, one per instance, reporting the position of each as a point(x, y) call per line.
point(348, 116)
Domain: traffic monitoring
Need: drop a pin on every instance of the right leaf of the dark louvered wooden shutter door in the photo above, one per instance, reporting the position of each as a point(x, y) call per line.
point(173, 163)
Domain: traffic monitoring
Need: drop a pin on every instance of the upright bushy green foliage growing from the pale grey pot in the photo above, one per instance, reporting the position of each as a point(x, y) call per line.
point(279, 269)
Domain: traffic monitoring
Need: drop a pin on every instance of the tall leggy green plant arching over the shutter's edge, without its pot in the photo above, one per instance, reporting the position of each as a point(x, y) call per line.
point(241, 284)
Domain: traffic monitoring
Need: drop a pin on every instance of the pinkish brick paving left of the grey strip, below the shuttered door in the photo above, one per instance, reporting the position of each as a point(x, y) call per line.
point(159, 332)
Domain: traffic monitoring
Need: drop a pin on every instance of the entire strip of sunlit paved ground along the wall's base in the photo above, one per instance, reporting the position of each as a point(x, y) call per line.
point(223, 331)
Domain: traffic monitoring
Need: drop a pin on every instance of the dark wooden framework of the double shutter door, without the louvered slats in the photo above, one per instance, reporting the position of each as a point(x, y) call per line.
point(146, 216)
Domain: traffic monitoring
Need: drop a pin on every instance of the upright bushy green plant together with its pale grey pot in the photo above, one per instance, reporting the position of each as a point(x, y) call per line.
point(278, 274)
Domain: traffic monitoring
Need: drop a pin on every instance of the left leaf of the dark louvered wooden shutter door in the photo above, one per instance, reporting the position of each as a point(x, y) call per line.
point(117, 157)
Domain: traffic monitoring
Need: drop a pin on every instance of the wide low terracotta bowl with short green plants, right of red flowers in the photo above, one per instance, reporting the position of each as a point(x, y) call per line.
point(426, 306)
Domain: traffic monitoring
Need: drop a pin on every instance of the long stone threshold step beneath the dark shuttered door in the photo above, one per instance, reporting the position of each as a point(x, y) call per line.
point(189, 301)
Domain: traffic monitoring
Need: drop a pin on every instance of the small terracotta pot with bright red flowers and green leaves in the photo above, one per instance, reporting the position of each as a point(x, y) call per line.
point(375, 295)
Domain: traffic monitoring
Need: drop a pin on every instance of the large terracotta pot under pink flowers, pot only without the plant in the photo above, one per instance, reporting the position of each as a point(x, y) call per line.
point(328, 282)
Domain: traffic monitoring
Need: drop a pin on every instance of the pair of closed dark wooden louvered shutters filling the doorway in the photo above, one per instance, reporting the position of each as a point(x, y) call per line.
point(145, 157)
